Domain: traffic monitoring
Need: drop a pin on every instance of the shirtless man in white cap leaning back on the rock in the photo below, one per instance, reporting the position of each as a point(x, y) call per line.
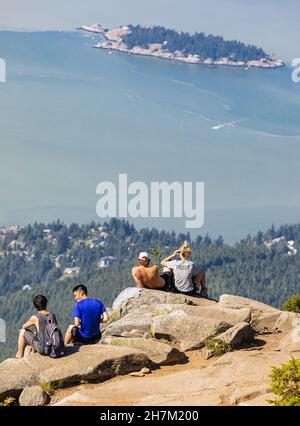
point(146, 276)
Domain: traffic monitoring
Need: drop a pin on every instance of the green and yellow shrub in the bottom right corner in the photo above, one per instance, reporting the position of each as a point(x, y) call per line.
point(285, 383)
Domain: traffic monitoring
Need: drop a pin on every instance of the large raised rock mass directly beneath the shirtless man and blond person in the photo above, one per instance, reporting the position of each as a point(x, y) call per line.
point(186, 321)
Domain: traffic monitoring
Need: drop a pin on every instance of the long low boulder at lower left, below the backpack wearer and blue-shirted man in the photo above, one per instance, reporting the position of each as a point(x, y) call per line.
point(86, 363)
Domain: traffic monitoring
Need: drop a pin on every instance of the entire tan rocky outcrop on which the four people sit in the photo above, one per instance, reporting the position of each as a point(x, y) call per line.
point(151, 329)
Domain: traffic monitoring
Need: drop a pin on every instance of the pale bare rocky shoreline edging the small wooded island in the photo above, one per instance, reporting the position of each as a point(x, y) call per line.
point(114, 41)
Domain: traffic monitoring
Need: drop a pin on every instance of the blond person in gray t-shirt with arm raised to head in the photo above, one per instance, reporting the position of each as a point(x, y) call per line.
point(187, 279)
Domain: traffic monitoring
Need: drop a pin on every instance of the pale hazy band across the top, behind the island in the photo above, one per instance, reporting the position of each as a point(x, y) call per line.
point(271, 24)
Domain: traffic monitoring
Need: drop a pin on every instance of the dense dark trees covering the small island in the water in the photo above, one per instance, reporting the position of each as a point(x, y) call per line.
point(206, 46)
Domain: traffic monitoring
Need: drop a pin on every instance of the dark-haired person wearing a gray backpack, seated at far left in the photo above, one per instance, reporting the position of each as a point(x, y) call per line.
point(46, 339)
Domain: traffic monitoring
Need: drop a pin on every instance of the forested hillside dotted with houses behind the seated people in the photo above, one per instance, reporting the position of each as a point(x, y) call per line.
point(52, 258)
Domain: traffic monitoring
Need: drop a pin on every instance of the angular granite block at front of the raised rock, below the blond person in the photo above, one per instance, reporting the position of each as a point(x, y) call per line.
point(188, 330)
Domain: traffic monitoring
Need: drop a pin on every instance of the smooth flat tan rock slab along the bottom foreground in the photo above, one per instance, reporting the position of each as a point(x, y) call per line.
point(237, 378)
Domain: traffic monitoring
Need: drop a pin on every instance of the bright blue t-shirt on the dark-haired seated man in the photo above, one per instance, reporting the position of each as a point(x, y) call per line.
point(89, 312)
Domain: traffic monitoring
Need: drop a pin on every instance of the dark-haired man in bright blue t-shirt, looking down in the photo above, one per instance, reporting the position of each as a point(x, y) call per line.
point(88, 314)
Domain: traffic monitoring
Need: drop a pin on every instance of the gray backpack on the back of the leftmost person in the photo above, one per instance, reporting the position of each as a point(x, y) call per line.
point(53, 342)
